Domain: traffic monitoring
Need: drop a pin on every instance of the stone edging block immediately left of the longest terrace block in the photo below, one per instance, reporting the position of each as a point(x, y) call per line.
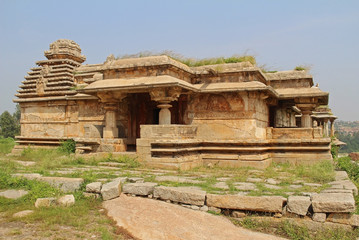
point(187, 195)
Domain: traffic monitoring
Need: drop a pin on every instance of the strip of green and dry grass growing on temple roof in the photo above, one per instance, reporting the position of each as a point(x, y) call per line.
point(194, 62)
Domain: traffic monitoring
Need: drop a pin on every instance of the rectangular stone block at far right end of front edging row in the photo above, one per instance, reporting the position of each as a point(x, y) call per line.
point(333, 203)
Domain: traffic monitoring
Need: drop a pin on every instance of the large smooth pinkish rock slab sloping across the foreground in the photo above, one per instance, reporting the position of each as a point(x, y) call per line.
point(156, 220)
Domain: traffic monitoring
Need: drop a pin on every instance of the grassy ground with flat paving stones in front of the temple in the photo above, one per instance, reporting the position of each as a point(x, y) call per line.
point(73, 174)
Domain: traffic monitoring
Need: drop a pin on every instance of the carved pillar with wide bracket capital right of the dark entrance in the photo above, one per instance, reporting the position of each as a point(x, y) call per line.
point(164, 96)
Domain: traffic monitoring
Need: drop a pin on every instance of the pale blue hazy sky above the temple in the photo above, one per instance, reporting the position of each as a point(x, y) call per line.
point(280, 34)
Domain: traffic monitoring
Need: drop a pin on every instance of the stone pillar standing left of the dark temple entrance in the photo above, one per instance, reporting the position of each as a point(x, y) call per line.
point(110, 130)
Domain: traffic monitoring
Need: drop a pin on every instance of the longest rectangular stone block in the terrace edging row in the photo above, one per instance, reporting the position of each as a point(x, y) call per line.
point(260, 204)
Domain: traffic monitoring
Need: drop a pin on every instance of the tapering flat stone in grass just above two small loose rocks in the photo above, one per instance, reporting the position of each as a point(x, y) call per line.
point(64, 183)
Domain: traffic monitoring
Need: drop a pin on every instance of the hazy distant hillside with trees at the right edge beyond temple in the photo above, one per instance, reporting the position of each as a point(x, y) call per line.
point(348, 132)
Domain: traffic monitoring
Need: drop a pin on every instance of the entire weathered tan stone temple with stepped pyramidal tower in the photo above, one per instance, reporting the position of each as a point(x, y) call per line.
point(172, 115)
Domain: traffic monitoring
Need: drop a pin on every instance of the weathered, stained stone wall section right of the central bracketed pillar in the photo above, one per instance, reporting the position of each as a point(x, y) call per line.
point(228, 115)
